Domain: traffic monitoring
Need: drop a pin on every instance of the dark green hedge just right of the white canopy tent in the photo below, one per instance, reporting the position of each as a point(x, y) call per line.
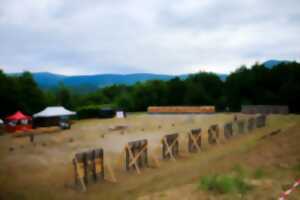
point(91, 111)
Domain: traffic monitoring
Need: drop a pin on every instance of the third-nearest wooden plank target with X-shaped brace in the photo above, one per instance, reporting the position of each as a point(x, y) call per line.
point(170, 146)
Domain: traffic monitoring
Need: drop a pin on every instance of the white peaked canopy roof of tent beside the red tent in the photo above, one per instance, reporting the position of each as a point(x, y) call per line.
point(54, 111)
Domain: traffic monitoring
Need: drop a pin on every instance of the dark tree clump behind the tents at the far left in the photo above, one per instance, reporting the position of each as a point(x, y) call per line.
point(22, 93)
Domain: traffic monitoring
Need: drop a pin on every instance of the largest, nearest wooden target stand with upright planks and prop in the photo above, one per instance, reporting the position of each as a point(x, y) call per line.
point(89, 166)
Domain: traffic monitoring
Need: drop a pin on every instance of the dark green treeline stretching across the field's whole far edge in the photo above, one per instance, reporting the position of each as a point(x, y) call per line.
point(279, 85)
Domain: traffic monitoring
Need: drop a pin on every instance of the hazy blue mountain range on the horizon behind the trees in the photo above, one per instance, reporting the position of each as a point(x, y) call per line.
point(89, 83)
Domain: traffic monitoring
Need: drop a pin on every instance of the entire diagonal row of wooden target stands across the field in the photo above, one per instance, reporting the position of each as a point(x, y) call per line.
point(89, 166)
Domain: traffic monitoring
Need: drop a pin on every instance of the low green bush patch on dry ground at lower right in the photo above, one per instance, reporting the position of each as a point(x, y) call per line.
point(224, 184)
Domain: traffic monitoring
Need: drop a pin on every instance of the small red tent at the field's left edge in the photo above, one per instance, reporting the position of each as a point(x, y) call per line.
point(18, 122)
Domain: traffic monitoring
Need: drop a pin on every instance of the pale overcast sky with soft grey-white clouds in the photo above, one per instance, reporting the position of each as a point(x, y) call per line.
point(158, 36)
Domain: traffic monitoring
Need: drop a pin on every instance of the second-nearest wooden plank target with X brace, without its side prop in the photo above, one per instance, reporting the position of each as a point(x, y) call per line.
point(136, 155)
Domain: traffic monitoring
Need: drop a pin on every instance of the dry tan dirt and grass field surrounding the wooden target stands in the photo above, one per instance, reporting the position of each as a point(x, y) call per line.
point(43, 169)
